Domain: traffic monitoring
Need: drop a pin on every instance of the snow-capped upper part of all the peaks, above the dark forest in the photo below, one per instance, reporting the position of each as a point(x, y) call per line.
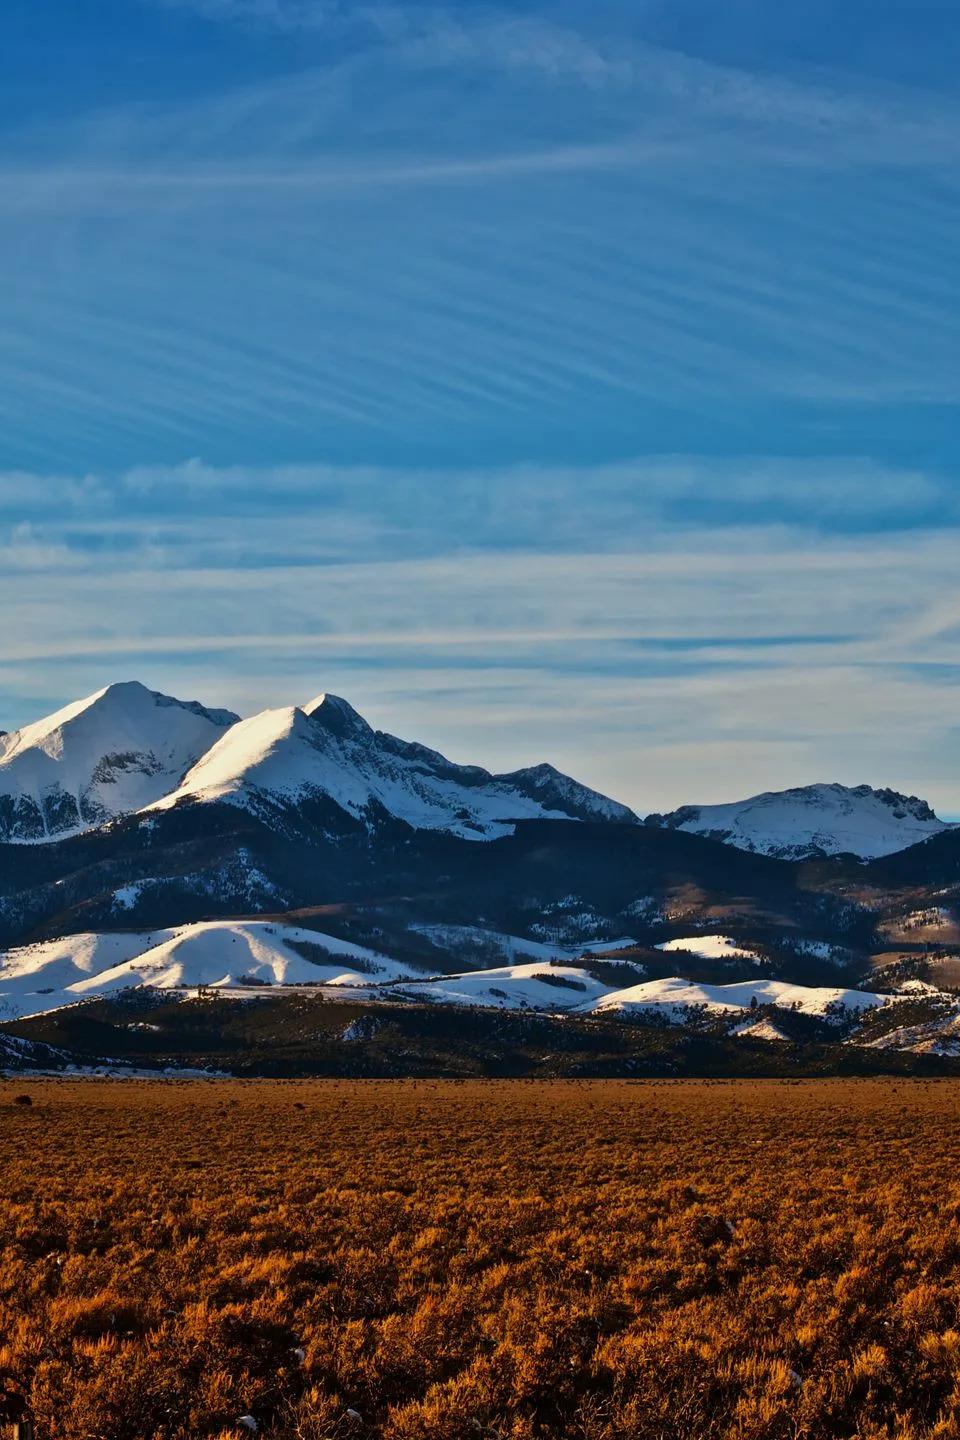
point(127, 750)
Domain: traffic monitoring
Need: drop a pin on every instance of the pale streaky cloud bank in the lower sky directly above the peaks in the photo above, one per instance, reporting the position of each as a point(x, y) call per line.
point(610, 647)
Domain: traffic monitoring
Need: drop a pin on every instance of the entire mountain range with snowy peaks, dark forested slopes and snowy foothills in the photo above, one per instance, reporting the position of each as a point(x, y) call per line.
point(153, 846)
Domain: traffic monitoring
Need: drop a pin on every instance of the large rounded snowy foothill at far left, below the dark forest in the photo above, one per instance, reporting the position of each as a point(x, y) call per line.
point(227, 953)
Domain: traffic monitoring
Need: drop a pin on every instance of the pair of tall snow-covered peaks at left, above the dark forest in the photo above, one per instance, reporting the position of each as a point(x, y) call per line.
point(127, 750)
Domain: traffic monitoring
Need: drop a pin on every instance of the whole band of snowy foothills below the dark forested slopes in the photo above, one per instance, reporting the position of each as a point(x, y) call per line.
point(248, 960)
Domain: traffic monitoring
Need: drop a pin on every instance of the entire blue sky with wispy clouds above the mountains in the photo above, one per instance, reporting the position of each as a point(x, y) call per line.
point(571, 382)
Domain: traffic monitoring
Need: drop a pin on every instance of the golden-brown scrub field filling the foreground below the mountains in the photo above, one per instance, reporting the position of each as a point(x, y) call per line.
point(435, 1261)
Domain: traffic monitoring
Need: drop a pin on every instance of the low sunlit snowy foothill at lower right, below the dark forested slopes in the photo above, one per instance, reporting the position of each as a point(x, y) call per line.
point(676, 997)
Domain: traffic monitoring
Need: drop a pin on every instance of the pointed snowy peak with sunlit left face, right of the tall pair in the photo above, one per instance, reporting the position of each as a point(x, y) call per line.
point(281, 761)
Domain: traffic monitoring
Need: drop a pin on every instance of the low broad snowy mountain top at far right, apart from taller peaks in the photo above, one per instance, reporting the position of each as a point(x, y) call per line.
point(812, 820)
